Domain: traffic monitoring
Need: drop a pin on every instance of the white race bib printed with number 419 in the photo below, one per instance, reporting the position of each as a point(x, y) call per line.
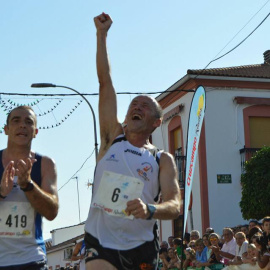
point(16, 219)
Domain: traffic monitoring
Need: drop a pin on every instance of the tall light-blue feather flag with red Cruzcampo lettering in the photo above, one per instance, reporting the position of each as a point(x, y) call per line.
point(196, 116)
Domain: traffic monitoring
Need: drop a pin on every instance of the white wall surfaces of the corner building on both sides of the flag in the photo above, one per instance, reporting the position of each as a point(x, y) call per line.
point(224, 138)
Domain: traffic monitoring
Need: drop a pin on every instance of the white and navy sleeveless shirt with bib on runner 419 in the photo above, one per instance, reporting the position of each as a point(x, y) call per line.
point(18, 248)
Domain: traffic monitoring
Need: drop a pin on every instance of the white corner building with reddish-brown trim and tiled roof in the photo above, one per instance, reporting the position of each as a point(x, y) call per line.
point(236, 123)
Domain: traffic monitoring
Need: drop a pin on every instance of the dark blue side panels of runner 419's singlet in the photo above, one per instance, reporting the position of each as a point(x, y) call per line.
point(36, 177)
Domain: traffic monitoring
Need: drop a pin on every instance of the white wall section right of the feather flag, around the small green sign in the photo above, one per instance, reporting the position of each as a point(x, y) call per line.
point(224, 138)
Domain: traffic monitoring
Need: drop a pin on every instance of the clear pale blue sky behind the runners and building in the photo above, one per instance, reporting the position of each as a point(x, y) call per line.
point(151, 45)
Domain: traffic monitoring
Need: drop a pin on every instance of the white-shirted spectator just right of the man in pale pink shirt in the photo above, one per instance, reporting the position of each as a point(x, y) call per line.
point(241, 249)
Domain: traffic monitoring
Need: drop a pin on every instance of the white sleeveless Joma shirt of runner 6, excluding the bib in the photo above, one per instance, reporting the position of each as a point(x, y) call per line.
point(118, 232)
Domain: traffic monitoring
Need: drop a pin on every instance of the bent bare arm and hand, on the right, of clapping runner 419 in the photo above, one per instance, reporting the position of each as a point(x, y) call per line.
point(43, 199)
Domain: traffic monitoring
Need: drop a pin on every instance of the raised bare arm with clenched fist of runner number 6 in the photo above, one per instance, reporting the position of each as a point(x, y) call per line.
point(109, 125)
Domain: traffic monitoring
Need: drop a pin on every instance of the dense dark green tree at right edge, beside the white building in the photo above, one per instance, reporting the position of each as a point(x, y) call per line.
point(255, 201)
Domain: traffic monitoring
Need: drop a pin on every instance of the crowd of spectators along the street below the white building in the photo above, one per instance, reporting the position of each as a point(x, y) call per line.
point(244, 247)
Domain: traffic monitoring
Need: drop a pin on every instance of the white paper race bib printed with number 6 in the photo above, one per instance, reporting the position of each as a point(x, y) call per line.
point(114, 191)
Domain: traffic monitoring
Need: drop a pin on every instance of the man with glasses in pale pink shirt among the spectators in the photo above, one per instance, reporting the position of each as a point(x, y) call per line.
point(227, 252)
